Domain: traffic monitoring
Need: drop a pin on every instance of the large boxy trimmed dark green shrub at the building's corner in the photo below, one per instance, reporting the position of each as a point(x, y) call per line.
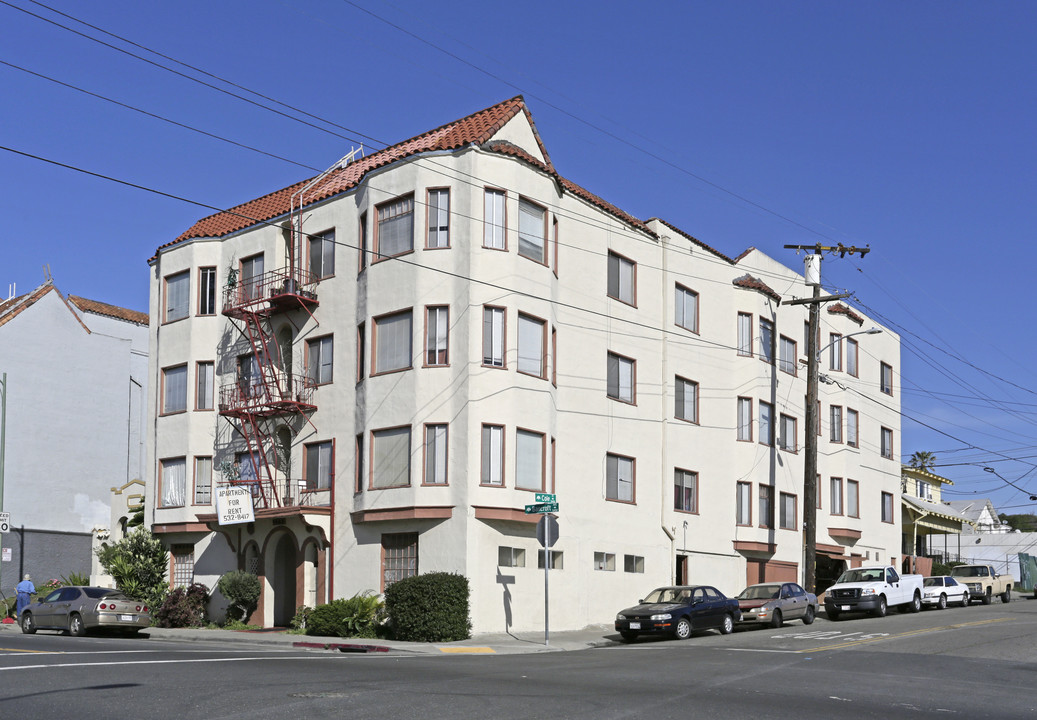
point(430, 608)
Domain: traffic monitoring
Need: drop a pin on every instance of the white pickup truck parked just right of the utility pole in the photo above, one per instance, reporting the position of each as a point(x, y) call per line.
point(874, 590)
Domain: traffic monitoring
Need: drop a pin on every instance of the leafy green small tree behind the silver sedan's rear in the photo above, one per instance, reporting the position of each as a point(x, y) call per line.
point(138, 564)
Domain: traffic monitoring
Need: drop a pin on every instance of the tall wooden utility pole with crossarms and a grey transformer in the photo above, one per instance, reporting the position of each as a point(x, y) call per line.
point(812, 275)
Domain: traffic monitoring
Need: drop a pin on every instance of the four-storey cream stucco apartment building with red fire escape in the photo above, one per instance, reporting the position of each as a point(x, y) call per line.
point(399, 355)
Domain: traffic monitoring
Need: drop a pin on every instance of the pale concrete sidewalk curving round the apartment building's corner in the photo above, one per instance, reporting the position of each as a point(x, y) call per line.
point(490, 644)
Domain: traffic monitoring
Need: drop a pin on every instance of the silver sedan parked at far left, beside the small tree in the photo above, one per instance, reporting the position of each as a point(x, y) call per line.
point(75, 610)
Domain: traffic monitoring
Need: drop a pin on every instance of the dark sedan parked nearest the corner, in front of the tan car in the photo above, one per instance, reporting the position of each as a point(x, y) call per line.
point(678, 612)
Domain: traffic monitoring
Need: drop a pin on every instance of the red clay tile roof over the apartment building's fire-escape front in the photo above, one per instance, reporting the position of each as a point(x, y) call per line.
point(473, 130)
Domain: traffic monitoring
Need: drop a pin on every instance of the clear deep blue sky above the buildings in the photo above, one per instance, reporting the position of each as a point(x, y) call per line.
point(904, 126)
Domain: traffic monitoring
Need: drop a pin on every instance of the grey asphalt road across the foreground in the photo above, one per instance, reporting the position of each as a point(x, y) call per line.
point(976, 662)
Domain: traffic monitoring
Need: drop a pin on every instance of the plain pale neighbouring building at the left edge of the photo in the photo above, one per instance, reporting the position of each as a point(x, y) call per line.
point(77, 383)
